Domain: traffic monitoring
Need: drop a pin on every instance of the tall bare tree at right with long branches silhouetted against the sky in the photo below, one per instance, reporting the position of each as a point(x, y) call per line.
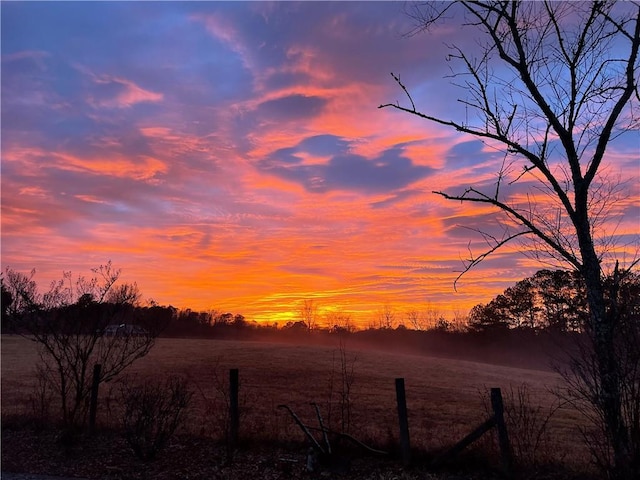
point(551, 86)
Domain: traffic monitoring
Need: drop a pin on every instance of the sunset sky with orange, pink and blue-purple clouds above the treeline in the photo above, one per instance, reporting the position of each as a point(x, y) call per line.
point(232, 156)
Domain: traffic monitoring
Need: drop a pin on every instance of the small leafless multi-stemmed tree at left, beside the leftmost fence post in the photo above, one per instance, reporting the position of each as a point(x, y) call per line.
point(69, 322)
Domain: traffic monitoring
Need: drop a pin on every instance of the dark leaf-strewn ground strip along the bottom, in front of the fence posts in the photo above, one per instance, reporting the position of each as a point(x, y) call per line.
point(106, 456)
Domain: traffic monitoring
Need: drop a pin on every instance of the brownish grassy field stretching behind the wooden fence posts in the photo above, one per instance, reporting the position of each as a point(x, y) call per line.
point(445, 397)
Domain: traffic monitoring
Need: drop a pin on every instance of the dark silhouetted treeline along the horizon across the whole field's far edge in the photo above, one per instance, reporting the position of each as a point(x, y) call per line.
point(550, 300)
